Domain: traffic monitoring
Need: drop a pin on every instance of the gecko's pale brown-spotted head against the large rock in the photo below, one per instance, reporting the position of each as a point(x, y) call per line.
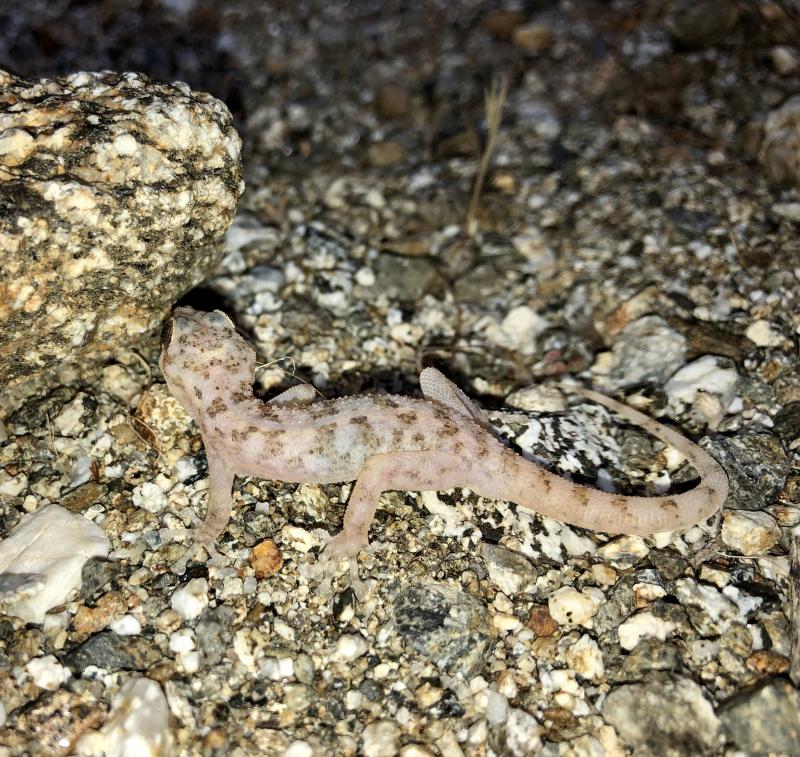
point(198, 348)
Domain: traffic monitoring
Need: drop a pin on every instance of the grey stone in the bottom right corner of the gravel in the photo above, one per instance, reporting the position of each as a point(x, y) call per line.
point(765, 718)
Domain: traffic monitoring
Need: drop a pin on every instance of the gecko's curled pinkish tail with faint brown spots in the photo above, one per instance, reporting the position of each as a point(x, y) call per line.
point(546, 493)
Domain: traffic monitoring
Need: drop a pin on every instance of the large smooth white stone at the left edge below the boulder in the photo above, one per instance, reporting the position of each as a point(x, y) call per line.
point(42, 558)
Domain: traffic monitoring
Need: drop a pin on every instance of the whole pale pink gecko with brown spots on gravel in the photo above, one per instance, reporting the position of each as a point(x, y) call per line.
point(389, 442)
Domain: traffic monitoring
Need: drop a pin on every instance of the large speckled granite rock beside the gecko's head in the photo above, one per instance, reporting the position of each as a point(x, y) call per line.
point(115, 192)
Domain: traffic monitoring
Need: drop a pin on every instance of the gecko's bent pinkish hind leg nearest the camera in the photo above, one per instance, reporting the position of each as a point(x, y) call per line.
point(414, 471)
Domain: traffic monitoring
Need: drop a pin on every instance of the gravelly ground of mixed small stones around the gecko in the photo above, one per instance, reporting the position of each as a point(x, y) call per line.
point(629, 233)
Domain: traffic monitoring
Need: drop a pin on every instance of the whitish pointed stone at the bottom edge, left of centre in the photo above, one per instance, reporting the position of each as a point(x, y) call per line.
point(139, 723)
